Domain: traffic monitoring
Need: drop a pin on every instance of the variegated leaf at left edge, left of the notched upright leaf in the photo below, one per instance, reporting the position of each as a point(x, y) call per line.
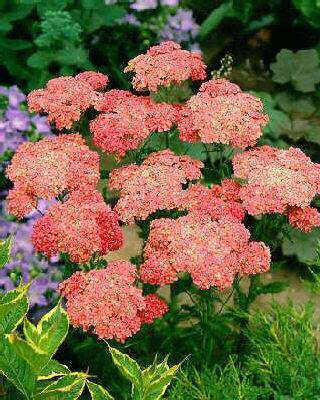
point(13, 308)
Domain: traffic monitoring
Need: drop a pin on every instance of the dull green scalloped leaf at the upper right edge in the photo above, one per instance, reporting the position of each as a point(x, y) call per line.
point(300, 68)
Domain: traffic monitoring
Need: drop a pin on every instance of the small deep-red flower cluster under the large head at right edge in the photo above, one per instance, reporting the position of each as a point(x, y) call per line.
point(304, 218)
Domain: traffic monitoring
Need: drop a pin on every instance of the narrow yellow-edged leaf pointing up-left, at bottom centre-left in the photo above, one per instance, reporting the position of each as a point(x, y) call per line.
point(128, 367)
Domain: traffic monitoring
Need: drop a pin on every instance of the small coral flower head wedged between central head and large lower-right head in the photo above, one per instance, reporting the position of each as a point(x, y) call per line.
point(204, 200)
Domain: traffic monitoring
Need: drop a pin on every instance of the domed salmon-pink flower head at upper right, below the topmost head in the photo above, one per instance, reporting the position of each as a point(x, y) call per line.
point(221, 113)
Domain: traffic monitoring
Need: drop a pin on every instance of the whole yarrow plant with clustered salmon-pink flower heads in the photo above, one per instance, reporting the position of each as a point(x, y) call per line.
point(194, 223)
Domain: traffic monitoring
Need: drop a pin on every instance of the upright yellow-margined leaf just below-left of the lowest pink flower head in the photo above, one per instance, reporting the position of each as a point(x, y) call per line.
point(50, 332)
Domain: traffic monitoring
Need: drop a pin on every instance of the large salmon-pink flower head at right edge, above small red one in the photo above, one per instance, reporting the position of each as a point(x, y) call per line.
point(276, 179)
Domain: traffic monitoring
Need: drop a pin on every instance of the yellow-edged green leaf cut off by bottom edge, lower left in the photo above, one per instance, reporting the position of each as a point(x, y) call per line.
point(69, 387)
